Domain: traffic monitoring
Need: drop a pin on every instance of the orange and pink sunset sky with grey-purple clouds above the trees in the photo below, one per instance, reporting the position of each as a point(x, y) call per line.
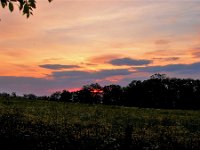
point(70, 43)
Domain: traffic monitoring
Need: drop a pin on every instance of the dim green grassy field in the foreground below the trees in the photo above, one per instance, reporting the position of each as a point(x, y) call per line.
point(53, 125)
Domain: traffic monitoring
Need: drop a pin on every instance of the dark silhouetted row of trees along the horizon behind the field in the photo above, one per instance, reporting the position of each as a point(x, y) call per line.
point(158, 91)
